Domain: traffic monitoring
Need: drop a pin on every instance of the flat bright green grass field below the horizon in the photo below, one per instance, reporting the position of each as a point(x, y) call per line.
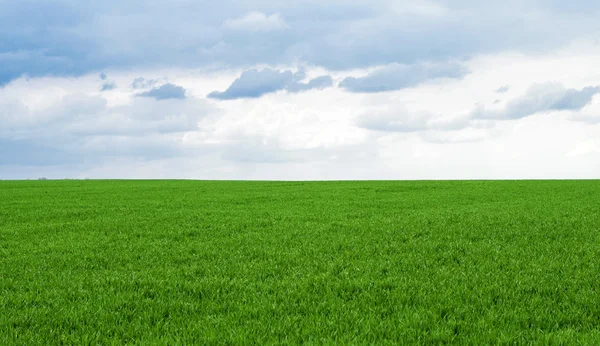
point(190, 262)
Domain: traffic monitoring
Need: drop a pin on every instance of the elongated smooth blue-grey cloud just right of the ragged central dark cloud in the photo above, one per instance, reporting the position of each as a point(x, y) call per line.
point(398, 76)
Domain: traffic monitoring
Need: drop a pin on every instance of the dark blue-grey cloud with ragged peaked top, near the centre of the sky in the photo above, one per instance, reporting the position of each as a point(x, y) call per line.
point(255, 83)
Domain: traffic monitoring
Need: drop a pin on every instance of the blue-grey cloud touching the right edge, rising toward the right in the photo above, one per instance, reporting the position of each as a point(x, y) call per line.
point(541, 98)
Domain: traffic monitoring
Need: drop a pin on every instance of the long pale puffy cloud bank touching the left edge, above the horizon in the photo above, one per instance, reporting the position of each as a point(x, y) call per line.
point(81, 114)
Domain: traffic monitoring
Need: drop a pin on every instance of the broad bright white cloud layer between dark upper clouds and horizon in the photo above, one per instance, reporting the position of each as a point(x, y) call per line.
point(422, 132)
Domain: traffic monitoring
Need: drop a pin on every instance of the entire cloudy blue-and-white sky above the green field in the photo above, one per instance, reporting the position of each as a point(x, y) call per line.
point(310, 89)
